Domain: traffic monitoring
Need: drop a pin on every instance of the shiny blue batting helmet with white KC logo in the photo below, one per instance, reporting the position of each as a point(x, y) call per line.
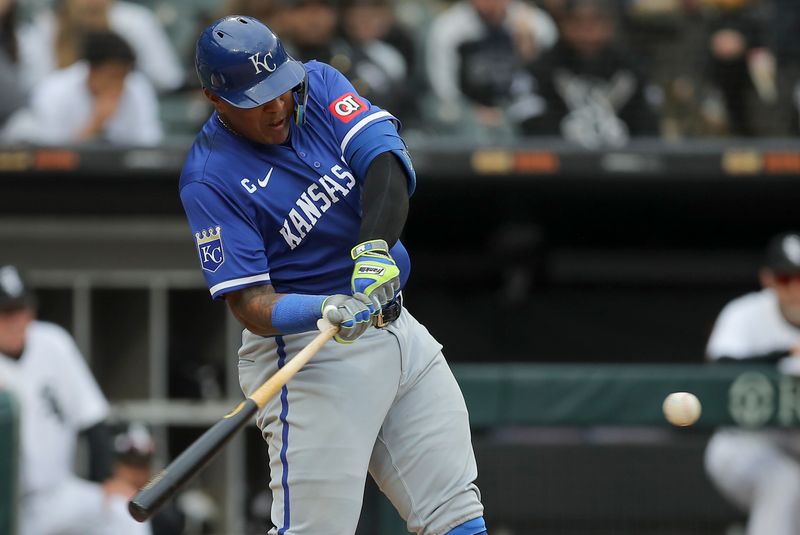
point(245, 64)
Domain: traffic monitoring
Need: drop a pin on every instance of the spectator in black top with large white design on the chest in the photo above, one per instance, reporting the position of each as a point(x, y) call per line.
point(591, 91)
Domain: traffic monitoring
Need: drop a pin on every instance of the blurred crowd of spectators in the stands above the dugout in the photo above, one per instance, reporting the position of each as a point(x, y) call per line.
point(593, 72)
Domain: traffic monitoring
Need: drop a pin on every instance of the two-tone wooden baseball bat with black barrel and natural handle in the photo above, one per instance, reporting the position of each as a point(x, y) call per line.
point(166, 483)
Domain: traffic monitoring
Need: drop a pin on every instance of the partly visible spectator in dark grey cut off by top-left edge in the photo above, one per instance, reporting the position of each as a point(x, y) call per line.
point(13, 97)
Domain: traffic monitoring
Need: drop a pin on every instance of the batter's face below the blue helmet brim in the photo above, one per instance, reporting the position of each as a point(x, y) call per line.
point(267, 124)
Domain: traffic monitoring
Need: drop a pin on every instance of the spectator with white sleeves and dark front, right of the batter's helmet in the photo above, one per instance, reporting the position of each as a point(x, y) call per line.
point(475, 56)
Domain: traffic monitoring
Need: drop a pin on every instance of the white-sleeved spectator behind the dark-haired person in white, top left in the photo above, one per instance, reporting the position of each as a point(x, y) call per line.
point(53, 40)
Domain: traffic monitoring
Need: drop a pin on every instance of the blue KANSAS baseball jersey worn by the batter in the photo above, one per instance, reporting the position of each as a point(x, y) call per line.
point(288, 214)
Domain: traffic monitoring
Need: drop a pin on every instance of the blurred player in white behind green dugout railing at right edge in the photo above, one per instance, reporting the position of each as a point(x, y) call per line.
point(760, 470)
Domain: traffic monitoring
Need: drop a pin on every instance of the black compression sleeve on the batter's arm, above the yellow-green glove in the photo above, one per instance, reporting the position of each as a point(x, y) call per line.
point(384, 200)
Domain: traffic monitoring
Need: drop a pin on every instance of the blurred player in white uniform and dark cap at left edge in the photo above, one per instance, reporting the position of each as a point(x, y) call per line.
point(58, 398)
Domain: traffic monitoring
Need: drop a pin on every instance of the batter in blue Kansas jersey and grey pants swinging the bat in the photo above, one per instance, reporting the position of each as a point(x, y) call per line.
point(296, 191)
